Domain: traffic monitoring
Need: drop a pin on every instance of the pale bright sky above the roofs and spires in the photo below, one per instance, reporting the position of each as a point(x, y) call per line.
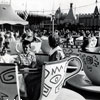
point(50, 6)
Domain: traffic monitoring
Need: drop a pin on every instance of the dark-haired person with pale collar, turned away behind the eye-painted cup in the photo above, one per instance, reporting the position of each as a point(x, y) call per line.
point(56, 53)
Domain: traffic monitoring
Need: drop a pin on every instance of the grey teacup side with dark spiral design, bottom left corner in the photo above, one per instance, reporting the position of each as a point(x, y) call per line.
point(9, 83)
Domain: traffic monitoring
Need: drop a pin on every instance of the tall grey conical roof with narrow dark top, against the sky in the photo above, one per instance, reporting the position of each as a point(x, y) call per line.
point(70, 17)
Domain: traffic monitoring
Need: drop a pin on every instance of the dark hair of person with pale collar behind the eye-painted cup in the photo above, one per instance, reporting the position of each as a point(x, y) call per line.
point(54, 40)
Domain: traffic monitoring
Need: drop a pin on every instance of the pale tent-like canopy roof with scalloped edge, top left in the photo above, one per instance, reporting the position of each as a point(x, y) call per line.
point(7, 15)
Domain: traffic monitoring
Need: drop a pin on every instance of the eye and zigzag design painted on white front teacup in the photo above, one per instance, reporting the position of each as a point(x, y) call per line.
point(56, 79)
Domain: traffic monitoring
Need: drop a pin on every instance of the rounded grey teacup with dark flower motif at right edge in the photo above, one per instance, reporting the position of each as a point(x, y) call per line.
point(91, 66)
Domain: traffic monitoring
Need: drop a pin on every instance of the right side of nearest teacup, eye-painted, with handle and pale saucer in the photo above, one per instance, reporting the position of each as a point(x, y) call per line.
point(54, 76)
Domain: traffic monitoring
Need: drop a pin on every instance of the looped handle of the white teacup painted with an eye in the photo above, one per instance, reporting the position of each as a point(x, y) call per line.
point(78, 68)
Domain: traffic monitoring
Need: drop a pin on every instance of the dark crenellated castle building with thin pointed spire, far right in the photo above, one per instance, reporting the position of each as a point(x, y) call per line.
point(90, 21)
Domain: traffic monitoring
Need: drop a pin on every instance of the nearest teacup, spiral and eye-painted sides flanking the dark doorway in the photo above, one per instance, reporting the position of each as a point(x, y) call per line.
point(54, 76)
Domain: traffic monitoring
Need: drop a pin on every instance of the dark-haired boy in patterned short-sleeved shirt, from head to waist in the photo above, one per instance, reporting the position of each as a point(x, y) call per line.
point(26, 59)
